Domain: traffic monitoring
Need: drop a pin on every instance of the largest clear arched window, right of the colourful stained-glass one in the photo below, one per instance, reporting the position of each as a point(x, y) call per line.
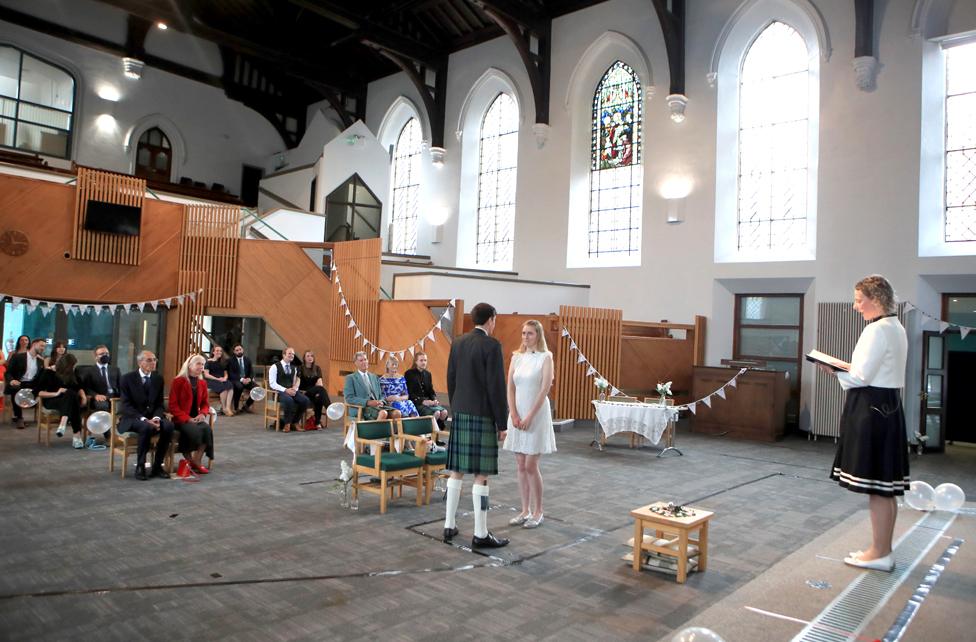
point(773, 142)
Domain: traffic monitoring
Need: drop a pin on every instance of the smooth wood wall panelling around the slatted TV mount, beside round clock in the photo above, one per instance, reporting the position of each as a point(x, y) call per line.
point(45, 212)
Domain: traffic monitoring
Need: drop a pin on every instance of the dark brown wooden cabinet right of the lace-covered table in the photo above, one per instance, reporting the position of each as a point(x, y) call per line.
point(754, 409)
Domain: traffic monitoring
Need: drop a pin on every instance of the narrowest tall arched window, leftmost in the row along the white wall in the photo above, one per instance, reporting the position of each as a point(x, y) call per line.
point(406, 188)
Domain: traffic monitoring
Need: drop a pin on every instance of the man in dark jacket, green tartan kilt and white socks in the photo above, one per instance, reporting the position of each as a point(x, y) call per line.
point(476, 388)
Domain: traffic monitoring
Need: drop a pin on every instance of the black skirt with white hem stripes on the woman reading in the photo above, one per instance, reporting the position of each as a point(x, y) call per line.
point(872, 452)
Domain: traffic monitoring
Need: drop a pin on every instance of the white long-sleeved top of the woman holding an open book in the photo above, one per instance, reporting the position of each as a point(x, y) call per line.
point(879, 357)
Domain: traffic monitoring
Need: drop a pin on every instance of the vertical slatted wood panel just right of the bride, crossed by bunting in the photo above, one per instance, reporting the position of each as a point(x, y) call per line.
point(597, 334)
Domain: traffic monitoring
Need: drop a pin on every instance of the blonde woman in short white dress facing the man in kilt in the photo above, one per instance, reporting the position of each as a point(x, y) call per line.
point(530, 432)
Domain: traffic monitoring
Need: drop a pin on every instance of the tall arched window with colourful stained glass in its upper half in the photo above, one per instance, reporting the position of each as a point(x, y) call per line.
point(614, 228)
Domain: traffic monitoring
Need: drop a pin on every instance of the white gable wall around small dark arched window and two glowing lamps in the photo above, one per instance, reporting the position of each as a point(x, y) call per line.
point(220, 134)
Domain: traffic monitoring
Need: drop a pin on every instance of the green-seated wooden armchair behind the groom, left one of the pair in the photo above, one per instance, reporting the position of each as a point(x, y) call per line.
point(387, 467)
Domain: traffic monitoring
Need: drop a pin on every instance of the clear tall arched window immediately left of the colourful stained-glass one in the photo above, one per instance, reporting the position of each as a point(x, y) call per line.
point(496, 182)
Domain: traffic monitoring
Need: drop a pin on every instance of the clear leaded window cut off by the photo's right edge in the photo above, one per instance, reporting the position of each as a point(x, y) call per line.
point(960, 170)
